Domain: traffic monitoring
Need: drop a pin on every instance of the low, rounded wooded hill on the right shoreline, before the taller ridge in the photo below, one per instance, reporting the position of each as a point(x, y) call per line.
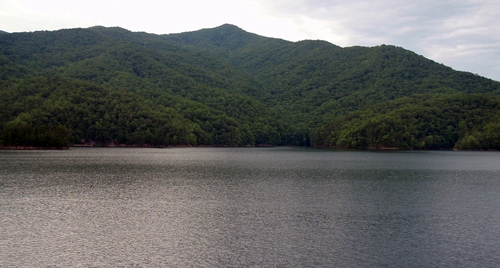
point(417, 122)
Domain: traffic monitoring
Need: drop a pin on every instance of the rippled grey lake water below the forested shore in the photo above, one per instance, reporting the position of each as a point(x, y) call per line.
point(249, 207)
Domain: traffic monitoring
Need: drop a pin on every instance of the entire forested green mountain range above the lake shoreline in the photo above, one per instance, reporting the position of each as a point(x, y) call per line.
point(227, 87)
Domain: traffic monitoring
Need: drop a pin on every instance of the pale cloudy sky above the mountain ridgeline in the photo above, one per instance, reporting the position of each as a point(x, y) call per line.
point(463, 34)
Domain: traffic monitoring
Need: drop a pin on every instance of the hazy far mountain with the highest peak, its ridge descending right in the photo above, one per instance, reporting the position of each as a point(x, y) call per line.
point(320, 78)
